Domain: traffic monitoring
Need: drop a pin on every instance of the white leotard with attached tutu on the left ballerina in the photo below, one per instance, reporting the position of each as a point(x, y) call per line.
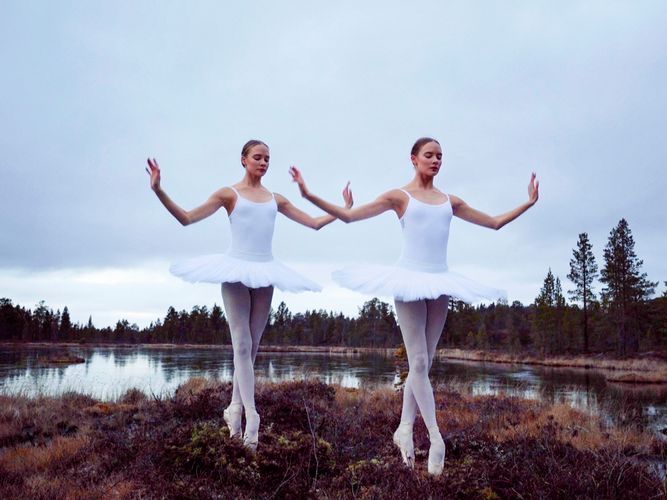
point(249, 259)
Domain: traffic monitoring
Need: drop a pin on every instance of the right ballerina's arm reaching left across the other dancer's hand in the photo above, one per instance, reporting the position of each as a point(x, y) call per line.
point(387, 201)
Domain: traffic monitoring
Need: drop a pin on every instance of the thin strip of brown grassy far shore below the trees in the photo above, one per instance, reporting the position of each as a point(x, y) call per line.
point(634, 370)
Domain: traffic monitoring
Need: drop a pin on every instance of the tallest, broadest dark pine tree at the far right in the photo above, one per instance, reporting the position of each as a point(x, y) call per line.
point(626, 287)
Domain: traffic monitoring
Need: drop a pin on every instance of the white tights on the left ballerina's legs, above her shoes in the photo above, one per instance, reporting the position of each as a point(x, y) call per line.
point(247, 313)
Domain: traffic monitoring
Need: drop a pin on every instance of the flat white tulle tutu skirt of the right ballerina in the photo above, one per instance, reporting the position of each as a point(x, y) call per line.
point(409, 285)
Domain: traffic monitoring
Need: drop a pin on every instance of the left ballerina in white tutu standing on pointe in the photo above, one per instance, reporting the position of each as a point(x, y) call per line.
point(247, 271)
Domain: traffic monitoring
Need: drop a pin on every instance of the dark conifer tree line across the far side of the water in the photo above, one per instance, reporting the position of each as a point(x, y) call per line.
point(621, 317)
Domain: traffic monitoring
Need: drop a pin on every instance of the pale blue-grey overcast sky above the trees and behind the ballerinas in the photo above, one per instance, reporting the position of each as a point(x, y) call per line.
point(576, 91)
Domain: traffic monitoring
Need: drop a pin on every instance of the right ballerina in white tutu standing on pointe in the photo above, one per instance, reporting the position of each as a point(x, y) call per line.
point(420, 282)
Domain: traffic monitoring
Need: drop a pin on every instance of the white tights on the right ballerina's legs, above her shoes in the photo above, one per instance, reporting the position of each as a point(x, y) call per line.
point(421, 324)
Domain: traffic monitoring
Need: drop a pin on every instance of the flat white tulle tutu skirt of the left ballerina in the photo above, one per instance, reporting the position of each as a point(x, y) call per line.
point(219, 268)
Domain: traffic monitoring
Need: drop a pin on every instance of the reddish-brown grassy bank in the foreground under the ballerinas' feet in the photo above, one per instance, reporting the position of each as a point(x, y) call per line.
point(315, 441)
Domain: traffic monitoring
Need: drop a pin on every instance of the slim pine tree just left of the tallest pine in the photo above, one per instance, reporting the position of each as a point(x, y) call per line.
point(583, 271)
